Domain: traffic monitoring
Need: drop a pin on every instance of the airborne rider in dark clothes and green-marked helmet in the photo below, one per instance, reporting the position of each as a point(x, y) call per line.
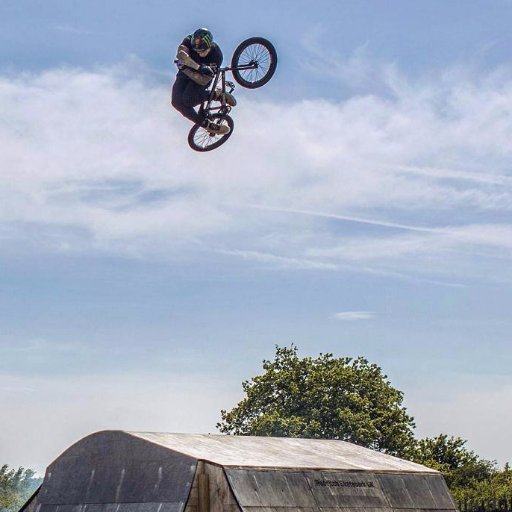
point(197, 57)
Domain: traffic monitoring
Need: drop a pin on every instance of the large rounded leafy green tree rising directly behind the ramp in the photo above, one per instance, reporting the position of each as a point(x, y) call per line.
point(324, 397)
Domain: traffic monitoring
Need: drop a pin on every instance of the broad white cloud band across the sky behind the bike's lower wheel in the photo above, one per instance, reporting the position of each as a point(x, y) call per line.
point(99, 159)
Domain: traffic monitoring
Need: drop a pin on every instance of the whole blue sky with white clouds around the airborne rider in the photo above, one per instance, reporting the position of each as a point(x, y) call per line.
point(362, 206)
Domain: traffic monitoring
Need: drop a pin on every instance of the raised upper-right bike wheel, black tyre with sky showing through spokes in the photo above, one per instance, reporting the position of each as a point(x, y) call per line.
point(254, 62)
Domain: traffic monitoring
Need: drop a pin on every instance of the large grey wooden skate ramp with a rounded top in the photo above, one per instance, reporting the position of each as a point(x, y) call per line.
point(117, 471)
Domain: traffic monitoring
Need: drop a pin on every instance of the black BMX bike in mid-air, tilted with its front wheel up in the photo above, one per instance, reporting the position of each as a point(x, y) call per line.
point(253, 64)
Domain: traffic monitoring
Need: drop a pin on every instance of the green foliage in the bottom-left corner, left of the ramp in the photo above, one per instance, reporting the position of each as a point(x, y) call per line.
point(16, 486)
